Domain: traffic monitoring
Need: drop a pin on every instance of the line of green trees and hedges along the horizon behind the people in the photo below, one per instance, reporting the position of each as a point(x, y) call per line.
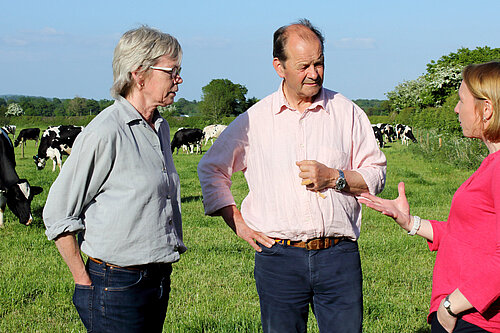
point(426, 102)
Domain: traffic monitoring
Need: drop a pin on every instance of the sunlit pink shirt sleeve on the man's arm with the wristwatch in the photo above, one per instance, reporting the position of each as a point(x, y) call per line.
point(367, 158)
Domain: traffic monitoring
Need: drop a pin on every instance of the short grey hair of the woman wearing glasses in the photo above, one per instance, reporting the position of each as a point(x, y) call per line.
point(137, 50)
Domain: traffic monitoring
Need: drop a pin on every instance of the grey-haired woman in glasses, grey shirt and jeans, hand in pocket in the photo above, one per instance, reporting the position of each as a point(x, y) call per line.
point(120, 193)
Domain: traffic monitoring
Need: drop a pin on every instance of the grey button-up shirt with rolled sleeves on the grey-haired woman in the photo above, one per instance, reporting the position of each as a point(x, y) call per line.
point(120, 188)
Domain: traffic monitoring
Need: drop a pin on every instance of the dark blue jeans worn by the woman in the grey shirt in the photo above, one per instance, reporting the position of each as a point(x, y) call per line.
point(123, 300)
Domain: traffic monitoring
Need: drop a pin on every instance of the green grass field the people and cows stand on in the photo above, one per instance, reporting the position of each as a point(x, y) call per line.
point(212, 286)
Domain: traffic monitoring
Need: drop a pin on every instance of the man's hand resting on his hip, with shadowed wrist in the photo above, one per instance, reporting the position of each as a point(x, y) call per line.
point(235, 221)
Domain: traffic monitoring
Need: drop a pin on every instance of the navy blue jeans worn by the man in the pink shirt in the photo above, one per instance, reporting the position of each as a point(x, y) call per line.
point(288, 279)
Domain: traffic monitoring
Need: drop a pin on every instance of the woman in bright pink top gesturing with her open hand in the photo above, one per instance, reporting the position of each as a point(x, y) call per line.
point(466, 279)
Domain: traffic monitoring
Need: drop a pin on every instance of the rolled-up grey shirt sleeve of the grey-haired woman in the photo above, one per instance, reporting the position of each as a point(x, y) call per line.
point(80, 180)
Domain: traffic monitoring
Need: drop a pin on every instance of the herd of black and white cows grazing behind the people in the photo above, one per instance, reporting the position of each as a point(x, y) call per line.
point(58, 140)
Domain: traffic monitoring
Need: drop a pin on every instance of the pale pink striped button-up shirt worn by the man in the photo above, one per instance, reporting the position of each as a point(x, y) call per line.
point(267, 140)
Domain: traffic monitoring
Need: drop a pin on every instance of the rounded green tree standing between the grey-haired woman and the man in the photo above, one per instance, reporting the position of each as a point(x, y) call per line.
point(221, 98)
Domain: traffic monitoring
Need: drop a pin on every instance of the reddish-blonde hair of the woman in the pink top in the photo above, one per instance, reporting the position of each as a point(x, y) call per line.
point(483, 81)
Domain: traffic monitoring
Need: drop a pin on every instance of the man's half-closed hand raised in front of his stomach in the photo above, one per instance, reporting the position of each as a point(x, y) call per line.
point(316, 176)
